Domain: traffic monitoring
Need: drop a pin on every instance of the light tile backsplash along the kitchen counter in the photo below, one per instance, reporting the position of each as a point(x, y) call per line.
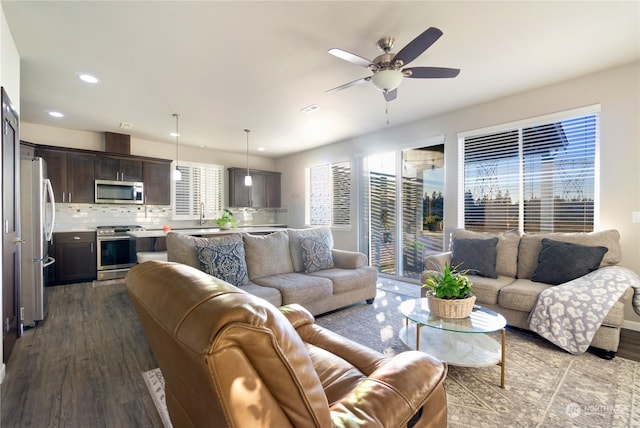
point(88, 216)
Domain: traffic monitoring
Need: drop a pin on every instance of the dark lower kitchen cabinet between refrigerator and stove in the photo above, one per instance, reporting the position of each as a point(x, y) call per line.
point(75, 254)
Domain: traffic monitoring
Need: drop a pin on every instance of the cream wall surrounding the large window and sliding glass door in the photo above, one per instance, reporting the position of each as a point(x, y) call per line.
point(617, 90)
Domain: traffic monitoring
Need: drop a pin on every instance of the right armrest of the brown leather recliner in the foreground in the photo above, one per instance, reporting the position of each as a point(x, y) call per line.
point(395, 392)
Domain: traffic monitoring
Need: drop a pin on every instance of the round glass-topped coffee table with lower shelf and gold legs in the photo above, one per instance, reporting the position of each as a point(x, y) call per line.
point(456, 341)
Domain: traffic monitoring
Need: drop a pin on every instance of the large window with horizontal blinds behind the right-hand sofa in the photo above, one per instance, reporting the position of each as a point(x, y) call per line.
point(536, 177)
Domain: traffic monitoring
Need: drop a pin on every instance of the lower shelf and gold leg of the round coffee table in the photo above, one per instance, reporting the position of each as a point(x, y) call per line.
point(456, 349)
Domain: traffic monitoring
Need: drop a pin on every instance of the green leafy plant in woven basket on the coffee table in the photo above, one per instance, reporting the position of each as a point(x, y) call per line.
point(449, 293)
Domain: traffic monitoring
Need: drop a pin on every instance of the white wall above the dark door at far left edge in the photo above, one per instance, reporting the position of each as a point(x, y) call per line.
point(10, 80)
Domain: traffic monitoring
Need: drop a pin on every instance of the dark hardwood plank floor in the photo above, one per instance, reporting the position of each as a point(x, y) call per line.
point(81, 367)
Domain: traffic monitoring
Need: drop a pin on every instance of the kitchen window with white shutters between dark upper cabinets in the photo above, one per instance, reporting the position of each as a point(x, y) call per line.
point(199, 194)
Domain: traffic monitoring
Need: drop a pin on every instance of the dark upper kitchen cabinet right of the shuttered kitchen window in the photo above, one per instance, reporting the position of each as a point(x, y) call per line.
point(263, 193)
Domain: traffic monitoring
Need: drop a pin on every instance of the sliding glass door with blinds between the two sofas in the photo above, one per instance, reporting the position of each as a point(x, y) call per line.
point(405, 201)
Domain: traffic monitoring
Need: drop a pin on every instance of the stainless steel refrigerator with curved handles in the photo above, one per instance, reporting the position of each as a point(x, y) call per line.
point(37, 218)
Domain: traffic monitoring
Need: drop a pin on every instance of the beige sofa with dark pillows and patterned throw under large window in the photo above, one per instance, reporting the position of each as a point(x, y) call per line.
point(513, 292)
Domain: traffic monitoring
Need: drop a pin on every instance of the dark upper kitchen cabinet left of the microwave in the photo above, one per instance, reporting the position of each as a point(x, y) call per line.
point(71, 174)
